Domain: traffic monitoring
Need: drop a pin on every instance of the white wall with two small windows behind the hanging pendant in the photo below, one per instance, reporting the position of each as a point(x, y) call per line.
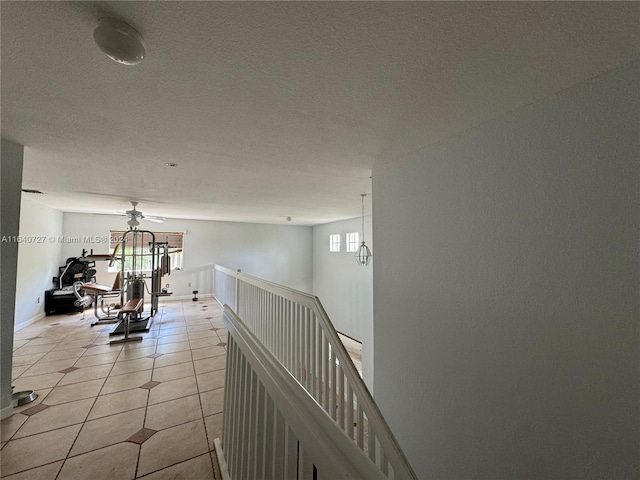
point(346, 288)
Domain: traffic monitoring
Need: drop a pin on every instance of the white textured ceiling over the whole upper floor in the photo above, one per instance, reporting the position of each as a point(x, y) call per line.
point(276, 109)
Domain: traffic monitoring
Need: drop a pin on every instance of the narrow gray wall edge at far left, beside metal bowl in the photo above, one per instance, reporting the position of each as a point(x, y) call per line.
point(10, 184)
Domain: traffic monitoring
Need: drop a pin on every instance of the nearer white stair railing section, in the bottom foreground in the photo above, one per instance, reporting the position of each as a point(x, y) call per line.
point(272, 428)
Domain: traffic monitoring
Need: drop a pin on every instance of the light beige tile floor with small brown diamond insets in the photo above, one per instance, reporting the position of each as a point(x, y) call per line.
point(140, 410)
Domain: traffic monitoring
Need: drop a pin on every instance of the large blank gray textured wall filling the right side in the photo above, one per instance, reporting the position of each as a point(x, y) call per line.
point(506, 292)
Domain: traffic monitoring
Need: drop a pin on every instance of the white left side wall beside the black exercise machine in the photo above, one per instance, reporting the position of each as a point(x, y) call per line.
point(38, 259)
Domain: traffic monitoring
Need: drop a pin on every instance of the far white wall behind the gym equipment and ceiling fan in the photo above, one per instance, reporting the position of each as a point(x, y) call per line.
point(281, 254)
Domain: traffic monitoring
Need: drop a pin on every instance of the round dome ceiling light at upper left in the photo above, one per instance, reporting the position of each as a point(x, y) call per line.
point(119, 40)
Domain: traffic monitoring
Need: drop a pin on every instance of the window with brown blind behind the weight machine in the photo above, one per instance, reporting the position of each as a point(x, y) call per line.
point(143, 254)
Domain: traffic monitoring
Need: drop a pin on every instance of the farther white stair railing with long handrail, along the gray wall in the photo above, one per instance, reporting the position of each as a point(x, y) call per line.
point(294, 327)
